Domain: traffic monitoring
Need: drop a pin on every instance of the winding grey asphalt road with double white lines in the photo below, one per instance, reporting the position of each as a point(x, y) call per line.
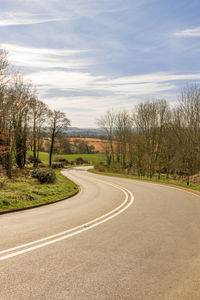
point(117, 239)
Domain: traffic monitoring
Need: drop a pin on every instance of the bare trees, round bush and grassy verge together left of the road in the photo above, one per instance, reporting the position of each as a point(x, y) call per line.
point(24, 120)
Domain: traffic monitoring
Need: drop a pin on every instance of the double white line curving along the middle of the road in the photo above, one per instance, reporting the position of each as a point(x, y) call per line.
point(84, 227)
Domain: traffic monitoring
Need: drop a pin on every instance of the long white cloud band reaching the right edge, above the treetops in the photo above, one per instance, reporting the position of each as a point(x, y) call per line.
point(141, 85)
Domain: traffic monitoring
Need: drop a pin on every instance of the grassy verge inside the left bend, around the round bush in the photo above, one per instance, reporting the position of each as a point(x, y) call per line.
point(26, 191)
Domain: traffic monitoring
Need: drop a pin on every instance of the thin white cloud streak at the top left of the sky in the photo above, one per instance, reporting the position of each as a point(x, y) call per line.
point(69, 10)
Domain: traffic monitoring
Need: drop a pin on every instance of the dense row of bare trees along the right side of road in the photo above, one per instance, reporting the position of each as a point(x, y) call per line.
point(155, 137)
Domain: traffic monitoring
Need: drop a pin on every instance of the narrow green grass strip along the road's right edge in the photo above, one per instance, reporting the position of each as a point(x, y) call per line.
point(194, 187)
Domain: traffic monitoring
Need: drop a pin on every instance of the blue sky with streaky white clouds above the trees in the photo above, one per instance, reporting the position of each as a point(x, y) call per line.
point(87, 56)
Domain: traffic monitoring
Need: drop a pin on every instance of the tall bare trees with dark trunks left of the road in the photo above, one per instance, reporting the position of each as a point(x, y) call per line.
point(22, 117)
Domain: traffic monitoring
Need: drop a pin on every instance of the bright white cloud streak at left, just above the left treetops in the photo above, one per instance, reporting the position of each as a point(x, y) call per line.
point(45, 58)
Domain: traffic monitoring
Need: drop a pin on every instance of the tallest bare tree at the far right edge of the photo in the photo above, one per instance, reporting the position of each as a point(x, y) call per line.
point(186, 125)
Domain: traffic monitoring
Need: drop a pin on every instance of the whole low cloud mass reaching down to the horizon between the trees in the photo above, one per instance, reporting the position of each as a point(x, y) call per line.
point(98, 93)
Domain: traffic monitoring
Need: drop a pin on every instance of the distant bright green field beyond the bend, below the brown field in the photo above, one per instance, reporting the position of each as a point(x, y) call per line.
point(91, 158)
